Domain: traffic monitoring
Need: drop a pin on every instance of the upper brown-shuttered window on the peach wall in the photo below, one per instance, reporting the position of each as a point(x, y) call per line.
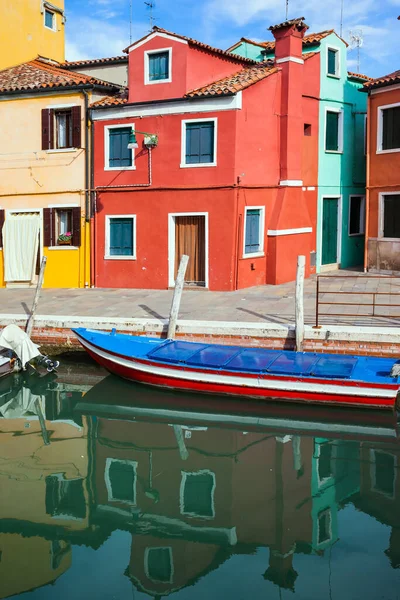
point(61, 128)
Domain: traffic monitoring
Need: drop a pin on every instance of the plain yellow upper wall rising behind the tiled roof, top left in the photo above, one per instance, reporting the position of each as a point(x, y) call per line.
point(23, 35)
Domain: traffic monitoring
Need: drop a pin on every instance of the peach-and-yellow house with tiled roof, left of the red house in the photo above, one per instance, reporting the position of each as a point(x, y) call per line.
point(45, 173)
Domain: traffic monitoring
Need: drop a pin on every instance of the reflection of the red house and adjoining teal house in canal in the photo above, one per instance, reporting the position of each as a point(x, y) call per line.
point(194, 496)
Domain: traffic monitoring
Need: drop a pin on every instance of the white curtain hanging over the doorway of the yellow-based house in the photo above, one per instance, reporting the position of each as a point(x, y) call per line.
point(20, 246)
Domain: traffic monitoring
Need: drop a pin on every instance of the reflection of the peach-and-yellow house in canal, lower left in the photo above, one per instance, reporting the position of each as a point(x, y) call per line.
point(44, 494)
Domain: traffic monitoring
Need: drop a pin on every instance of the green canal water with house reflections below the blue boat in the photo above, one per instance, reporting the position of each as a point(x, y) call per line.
point(113, 491)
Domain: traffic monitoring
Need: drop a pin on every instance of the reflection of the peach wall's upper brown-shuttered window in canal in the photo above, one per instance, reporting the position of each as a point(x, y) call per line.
point(65, 497)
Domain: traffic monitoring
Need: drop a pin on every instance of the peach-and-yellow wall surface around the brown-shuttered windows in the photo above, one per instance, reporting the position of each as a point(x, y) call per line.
point(32, 178)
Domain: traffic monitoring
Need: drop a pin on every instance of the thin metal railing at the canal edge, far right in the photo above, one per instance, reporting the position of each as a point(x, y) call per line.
point(329, 297)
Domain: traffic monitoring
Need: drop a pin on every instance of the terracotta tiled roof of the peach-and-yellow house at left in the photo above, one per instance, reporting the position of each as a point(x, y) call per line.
point(41, 74)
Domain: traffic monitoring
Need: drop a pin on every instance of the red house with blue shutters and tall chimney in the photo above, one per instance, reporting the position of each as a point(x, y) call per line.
point(222, 165)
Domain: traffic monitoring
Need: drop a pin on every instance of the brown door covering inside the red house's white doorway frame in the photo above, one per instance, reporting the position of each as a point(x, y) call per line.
point(190, 239)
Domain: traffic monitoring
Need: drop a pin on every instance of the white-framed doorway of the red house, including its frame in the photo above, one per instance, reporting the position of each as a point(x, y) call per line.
point(189, 236)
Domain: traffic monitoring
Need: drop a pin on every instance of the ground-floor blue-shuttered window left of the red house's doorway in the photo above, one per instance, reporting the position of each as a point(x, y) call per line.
point(121, 237)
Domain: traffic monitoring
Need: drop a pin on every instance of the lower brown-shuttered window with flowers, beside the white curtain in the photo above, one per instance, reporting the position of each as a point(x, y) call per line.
point(62, 226)
